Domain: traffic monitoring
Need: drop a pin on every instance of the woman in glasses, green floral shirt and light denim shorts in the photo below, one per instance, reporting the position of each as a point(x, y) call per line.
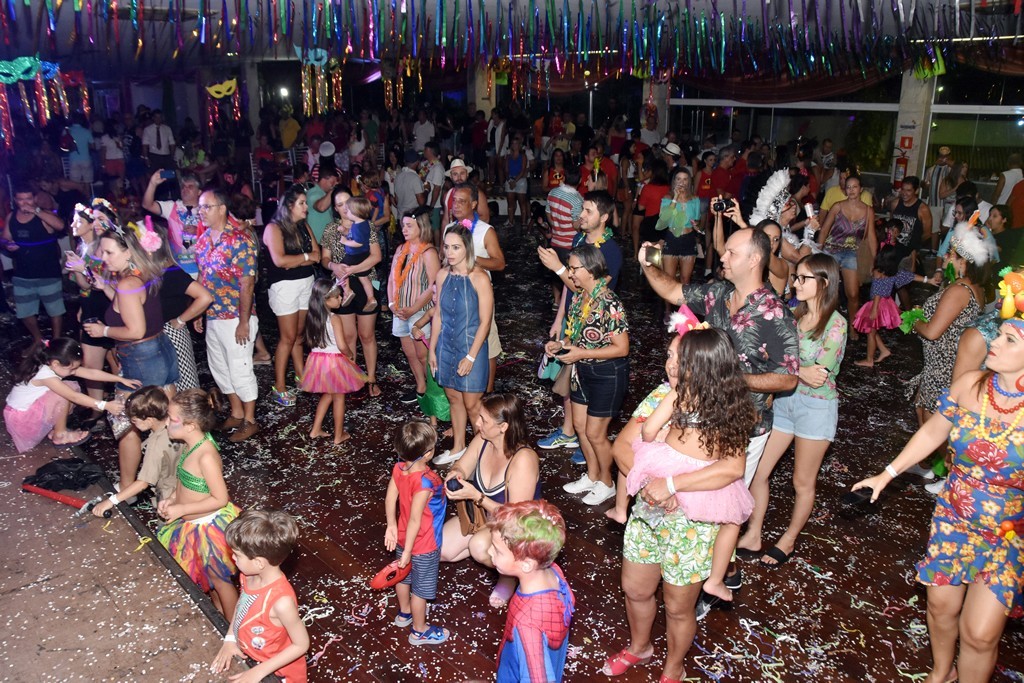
point(810, 414)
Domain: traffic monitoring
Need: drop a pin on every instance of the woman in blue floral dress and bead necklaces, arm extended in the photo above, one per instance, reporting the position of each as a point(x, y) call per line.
point(973, 566)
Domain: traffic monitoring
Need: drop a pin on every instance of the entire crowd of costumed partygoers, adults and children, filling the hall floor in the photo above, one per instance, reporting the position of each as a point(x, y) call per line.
point(398, 220)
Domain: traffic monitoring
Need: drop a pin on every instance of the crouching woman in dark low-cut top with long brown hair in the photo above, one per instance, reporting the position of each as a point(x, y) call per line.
point(499, 467)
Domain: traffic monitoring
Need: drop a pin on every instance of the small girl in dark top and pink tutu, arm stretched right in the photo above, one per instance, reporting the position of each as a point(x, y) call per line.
point(882, 313)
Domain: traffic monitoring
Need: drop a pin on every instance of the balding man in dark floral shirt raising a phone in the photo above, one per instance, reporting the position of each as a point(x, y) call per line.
point(764, 334)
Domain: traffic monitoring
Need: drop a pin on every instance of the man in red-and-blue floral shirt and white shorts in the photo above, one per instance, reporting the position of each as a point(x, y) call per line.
point(227, 258)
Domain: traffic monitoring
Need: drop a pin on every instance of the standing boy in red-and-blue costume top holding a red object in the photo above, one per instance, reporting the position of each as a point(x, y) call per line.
point(419, 494)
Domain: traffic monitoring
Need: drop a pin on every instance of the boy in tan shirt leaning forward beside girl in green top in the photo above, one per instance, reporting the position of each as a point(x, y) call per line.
point(147, 410)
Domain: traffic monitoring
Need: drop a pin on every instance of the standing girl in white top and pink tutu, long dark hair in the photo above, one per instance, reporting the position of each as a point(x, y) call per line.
point(330, 372)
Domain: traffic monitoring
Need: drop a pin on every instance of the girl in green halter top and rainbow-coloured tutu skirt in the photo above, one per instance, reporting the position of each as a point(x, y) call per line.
point(200, 510)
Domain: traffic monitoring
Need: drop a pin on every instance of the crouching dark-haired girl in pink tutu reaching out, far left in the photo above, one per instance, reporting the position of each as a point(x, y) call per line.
point(42, 397)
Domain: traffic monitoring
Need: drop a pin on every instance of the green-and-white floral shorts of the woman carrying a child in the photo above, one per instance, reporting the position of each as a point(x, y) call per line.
point(684, 548)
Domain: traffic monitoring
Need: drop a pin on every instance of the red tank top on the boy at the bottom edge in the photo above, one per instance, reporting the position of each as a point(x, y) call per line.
point(259, 636)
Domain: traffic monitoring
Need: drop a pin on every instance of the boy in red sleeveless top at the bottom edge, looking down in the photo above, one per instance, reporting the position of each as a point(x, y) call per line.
point(267, 625)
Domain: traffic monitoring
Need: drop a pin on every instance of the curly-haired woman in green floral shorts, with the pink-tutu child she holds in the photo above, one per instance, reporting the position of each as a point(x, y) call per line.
point(681, 499)
